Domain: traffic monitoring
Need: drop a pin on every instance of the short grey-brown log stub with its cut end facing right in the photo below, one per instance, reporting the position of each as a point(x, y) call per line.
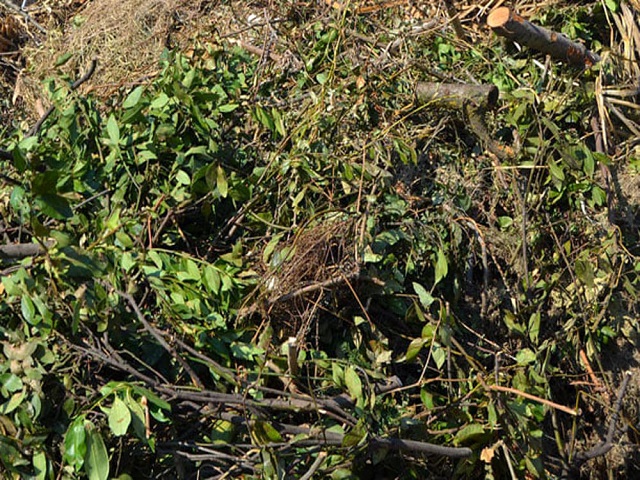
point(455, 95)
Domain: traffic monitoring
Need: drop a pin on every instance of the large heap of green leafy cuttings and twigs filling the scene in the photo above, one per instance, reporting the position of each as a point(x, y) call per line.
point(163, 214)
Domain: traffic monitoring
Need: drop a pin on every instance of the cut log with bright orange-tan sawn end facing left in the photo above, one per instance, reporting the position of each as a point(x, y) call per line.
point(507, 23)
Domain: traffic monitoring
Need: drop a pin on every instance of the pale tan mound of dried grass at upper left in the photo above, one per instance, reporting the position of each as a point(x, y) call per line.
point(125, 36)
